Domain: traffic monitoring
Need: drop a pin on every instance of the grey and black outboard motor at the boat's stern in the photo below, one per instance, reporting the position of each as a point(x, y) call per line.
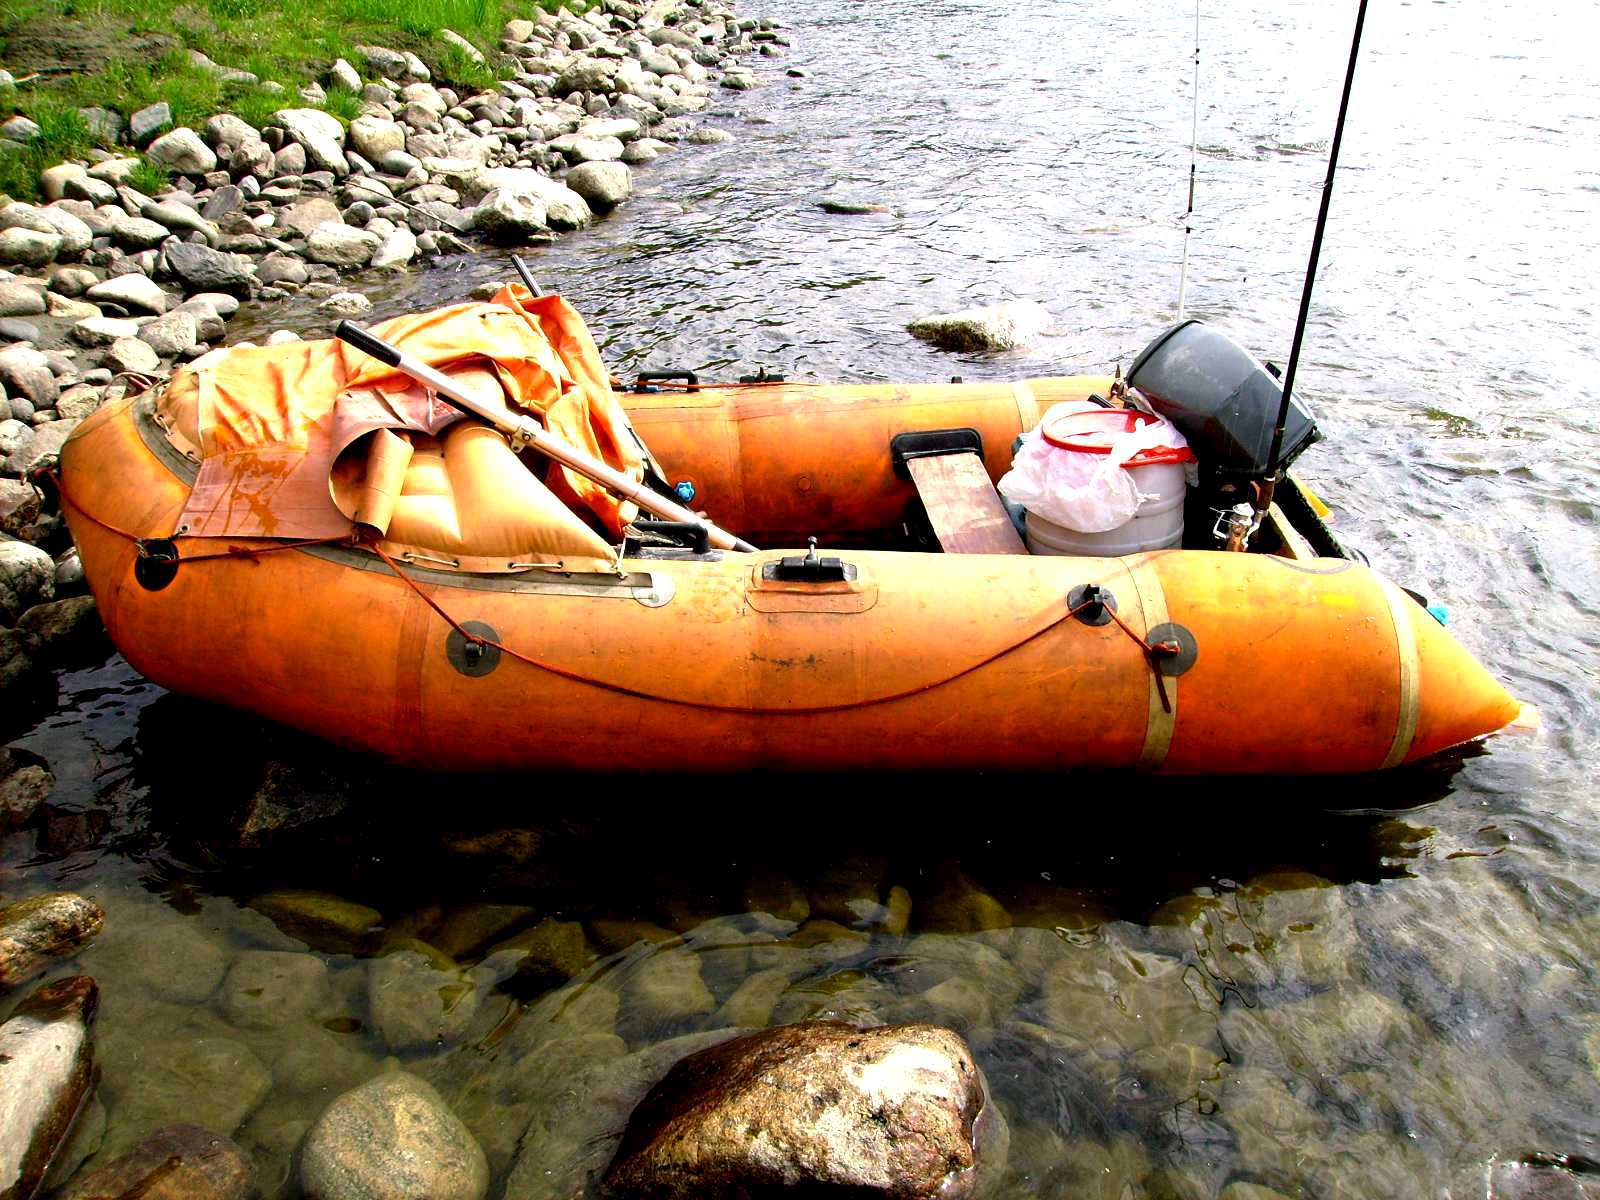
point(1226, 406)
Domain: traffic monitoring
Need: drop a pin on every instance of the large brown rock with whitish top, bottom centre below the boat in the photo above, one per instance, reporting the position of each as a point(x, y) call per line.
point(818, 1106)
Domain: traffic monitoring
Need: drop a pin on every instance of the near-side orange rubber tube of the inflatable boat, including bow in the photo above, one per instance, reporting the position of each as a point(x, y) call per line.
point(922, 662)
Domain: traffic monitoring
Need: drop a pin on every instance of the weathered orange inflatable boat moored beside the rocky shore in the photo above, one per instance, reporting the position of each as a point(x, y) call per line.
point(306, 535)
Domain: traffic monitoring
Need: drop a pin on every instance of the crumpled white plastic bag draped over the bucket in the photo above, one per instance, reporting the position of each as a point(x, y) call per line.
point(1081, 490)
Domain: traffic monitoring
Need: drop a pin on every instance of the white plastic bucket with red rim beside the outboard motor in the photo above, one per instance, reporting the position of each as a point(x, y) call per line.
point(1158, 473)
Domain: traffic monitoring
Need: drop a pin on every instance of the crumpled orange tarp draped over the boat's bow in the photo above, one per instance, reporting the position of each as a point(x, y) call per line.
point(273, 420)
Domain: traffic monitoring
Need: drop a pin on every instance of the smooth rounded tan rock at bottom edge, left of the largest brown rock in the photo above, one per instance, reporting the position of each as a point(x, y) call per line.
point(393, 1140)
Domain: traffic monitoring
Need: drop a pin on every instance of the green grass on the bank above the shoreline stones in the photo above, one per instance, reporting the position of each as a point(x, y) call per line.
point(292, 42)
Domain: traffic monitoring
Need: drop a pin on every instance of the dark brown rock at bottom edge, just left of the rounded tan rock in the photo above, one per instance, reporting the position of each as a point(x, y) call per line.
point(182, 1162)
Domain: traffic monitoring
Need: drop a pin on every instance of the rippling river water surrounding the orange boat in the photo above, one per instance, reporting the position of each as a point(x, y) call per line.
point(1343, 990)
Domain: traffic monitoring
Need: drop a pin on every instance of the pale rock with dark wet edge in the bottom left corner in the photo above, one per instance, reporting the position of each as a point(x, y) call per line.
point(47, 1066)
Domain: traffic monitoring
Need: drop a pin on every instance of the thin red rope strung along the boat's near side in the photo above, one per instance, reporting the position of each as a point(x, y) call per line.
point(1153, 654)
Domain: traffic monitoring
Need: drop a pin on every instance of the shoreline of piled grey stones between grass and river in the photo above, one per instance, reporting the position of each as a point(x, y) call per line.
point(105, 289)
